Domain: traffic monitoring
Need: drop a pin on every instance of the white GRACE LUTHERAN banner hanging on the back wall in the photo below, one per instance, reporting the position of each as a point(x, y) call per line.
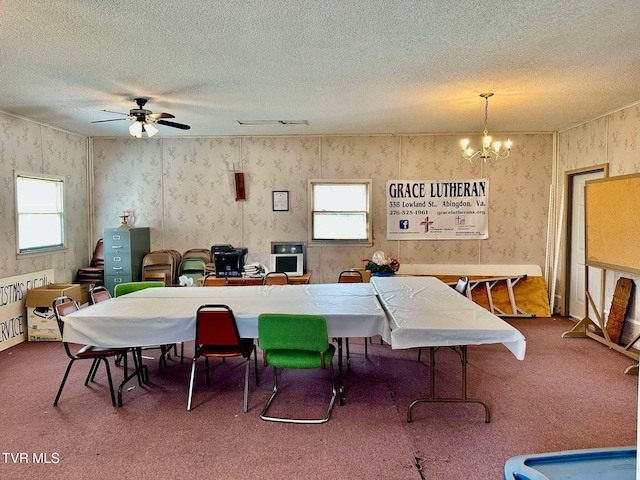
point(437, 210)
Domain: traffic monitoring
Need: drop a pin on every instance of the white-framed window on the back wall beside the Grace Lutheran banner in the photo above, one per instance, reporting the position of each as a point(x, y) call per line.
point(340, 212)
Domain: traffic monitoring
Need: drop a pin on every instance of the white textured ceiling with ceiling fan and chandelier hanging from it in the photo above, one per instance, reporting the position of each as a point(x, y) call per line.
point(348, 67)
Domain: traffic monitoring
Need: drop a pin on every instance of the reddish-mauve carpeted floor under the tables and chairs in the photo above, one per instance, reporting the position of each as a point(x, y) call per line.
point(566, 394)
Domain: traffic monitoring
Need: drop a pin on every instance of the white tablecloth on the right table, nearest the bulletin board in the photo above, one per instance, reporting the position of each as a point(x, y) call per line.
point(425, 312)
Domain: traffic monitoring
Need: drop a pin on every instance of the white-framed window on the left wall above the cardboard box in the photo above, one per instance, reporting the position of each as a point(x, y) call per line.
point(39, 212)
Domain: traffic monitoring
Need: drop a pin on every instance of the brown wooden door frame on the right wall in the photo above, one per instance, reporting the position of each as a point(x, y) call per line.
point(566, 233)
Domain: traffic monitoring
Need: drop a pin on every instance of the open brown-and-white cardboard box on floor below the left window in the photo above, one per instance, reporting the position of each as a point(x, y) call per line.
point(41, 321)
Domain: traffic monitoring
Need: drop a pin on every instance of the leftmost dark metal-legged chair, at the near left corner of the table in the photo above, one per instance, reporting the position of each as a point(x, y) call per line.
point(63, 306)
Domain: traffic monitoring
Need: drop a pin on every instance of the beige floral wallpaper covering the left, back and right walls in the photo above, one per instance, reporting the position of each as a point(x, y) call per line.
point(183, 189)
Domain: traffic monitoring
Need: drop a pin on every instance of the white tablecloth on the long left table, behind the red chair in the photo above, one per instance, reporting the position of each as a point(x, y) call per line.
point(167, 315)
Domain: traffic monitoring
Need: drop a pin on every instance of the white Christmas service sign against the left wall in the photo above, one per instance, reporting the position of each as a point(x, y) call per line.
point(13, 293)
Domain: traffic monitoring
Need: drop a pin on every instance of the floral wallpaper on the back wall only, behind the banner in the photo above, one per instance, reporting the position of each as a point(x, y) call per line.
point(184, 190)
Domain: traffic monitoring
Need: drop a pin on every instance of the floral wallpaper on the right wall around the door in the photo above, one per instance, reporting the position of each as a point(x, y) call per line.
point(612, 139)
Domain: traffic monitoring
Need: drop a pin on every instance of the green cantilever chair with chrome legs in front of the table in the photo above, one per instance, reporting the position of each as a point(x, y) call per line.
point(295, 341)
